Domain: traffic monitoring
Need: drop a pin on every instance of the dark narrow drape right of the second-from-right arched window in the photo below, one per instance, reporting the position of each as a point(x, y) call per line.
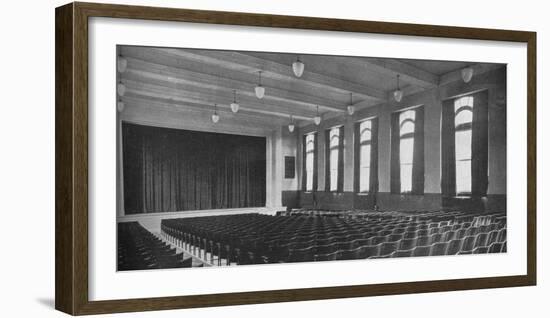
point(418, 152)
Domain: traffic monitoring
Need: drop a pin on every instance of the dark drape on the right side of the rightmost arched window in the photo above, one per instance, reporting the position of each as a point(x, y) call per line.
point(480, 147)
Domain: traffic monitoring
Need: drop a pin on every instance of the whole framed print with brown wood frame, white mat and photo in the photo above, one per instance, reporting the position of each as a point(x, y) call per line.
point(218, 158)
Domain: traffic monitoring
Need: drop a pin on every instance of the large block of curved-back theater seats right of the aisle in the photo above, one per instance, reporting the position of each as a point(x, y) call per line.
point(257, 239)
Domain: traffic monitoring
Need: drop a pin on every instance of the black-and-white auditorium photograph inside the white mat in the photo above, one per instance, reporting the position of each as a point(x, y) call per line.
point(237, 158)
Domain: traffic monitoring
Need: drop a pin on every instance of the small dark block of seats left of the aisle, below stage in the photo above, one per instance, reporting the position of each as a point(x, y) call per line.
point(140, 249)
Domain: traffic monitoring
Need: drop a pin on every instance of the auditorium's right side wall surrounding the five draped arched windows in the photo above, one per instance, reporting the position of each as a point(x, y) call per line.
point(494, 81)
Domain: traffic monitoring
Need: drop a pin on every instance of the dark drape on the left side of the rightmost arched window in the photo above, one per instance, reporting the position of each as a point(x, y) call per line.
point(448, 164)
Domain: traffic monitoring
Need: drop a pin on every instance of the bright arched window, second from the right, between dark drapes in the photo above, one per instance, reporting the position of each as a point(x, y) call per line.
point(406, 148)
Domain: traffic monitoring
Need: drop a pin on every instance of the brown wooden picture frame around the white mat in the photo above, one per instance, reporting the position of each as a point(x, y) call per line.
point(72, 278)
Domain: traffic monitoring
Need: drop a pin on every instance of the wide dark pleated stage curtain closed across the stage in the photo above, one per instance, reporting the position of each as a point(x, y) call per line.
point(175, 170)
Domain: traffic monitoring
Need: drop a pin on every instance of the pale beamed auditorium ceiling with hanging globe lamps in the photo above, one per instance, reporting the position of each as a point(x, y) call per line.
point(190, 79)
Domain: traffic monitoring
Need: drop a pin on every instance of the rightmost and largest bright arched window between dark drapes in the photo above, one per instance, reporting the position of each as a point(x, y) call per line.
point(463, 107)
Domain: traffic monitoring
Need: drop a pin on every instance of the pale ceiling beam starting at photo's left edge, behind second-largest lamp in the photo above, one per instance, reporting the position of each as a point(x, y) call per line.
point(148, 72)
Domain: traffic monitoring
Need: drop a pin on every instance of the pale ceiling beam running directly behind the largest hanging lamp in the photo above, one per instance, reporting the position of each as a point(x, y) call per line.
point(247, 63)
